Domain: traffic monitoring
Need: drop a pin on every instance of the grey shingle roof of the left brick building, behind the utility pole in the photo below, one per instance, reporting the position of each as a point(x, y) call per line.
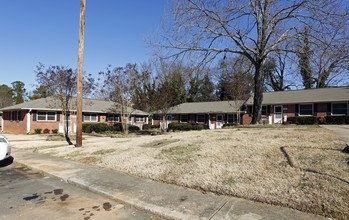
point(88, 105)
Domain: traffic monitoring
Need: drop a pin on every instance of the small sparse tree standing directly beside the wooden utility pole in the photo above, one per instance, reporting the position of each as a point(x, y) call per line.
point(60, 81)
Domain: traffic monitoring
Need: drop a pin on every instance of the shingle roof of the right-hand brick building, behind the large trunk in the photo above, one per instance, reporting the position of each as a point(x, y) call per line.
point(332, 94)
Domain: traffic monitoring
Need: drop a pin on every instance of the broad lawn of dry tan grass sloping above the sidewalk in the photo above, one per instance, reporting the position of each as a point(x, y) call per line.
point(300, 167)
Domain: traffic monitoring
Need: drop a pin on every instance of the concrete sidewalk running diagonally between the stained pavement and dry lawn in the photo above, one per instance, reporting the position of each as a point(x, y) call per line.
point(165, 200)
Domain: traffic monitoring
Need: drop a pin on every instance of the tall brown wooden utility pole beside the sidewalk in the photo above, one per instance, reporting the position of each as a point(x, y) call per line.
point(80, 72)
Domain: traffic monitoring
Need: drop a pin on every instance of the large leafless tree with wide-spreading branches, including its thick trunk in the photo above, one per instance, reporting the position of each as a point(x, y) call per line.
point(253, 28)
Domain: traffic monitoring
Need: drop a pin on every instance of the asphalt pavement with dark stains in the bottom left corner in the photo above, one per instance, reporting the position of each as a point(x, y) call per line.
point(27, 194)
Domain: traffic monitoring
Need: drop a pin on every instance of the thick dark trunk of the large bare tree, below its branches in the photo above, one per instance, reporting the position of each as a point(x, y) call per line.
point(258, 94)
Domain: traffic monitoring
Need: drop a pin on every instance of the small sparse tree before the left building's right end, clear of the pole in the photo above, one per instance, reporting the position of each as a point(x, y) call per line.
point(121, 84)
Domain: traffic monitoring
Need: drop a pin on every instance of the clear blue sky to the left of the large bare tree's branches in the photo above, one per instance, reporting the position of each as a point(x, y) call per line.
point(47, 31)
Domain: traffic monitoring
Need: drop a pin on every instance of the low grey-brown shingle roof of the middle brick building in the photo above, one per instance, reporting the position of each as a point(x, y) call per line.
point(207, 107)
